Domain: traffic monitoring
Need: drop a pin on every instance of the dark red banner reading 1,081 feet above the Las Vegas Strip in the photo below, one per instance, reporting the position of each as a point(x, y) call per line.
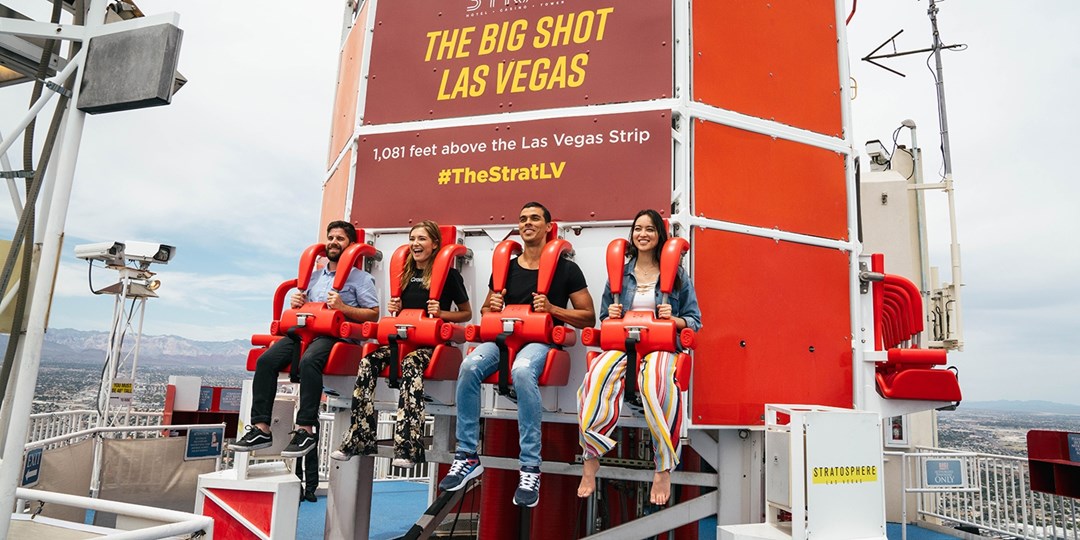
point(583, 169)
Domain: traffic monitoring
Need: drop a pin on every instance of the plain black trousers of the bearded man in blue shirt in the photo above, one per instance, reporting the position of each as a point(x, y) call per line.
point(265, 384)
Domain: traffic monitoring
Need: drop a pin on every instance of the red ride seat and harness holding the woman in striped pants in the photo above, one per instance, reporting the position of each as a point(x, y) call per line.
point(640, 333)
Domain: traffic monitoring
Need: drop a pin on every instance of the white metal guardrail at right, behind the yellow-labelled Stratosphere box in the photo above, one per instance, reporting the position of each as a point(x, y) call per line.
point(997, 497)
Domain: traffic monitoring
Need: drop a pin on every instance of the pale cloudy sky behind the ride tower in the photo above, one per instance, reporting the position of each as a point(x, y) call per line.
point(232, 172)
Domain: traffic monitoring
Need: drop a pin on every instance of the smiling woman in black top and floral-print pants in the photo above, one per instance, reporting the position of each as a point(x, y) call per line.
point(425, 241)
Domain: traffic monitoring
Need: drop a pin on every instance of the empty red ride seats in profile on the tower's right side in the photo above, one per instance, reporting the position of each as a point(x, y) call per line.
point(909, 372)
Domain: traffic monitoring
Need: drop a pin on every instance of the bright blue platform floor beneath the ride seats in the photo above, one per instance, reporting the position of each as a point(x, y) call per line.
point(397, 505)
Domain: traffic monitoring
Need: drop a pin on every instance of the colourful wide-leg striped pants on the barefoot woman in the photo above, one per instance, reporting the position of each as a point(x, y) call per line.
point(600, 402)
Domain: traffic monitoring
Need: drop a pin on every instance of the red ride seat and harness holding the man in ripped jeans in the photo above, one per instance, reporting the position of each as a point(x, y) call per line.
point(518, 326)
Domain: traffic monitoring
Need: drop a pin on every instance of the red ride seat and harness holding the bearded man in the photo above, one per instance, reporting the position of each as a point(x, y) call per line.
point(314, 319)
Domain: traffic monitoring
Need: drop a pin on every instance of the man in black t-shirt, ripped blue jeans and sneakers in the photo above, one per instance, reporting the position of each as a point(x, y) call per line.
point(569, 286)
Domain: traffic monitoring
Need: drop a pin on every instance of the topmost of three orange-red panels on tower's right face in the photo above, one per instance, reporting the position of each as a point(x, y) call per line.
point(771, 60)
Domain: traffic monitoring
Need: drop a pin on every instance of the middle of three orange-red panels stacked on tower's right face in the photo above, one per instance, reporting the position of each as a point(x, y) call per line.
point(755, 180)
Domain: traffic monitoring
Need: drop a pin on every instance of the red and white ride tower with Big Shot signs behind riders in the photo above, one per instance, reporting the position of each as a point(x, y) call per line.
point(730, 119)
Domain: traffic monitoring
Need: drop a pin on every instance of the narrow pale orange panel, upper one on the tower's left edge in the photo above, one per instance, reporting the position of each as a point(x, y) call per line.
point(345, 102)
